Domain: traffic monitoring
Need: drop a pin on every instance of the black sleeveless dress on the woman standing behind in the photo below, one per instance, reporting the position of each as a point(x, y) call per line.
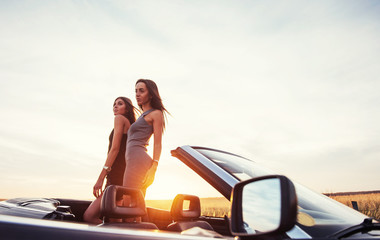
point(115, 176)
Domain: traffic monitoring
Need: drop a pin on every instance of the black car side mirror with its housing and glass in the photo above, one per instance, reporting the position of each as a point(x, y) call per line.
point(263, 206)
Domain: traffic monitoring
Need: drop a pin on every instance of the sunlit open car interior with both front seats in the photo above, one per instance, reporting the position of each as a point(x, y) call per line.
point(181, 217)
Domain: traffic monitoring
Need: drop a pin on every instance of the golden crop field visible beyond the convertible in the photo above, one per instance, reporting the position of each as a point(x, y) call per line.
point(368, 203)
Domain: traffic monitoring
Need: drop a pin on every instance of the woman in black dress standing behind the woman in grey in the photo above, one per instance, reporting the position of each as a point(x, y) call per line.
point(114, 166)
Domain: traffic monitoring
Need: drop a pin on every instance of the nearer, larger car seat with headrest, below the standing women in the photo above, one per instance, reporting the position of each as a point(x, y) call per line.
point(109, 208)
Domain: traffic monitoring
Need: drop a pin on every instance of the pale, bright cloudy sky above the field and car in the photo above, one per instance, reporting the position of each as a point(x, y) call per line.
point(292, 85)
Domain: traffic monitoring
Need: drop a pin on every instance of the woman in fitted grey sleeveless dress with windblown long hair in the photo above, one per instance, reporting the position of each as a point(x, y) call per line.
point(140, 167)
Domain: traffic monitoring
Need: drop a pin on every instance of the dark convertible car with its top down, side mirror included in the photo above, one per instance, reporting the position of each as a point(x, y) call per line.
point(263, 206)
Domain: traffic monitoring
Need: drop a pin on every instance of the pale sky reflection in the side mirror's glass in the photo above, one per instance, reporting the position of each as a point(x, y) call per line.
point(261, 205)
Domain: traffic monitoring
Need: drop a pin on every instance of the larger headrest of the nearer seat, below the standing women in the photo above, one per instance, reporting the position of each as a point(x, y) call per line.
point(109, 208)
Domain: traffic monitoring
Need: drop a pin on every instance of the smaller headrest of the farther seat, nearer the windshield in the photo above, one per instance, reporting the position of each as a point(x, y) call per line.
point(178, 212)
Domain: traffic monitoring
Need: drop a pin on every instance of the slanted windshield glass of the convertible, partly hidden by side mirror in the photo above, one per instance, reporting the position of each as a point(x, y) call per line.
point(314, 209)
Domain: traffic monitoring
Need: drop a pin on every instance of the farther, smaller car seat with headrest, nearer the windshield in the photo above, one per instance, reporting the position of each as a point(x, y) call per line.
point(186, 218)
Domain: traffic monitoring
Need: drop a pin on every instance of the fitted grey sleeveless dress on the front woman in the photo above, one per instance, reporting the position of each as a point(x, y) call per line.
point(137, 159)
